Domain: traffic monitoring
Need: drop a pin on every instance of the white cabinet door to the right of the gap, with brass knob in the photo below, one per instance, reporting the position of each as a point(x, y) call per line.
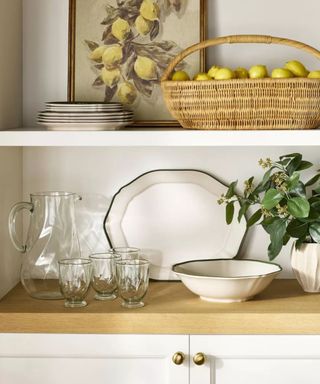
point(256, 359)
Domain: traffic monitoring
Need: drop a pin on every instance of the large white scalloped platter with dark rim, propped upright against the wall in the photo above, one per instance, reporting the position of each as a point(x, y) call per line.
point(173, 216)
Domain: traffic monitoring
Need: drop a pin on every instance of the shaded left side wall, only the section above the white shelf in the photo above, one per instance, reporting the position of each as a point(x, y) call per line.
point(10, 64)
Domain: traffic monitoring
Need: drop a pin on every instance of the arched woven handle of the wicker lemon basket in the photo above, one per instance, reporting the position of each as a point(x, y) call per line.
point(233, 39)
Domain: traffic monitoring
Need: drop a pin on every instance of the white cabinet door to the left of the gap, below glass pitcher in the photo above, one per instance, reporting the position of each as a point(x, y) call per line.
point(98, 359)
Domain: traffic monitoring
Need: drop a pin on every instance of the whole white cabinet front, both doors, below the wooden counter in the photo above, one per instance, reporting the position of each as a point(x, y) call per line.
point(146, 359)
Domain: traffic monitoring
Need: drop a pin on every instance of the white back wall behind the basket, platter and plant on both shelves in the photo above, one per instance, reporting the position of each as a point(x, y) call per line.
point(98, 173)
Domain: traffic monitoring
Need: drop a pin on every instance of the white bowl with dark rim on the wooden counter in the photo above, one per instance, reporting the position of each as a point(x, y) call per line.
point(226, 280)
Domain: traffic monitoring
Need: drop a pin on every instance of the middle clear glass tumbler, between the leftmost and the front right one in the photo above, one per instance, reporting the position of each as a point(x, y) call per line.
point(103, 279)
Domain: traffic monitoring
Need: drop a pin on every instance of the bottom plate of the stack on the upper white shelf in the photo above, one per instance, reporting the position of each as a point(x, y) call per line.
point(84, 126)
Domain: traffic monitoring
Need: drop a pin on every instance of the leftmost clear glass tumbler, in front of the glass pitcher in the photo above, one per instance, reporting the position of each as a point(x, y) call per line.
point(74, 278)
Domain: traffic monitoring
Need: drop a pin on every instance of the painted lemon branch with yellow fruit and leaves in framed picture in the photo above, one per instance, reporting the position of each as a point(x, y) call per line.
point(128, 58)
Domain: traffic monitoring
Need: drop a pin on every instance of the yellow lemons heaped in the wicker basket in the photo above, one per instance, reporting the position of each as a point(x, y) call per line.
point(291, 69)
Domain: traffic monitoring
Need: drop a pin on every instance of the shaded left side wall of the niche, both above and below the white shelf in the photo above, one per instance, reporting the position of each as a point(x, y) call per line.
point(10, 117)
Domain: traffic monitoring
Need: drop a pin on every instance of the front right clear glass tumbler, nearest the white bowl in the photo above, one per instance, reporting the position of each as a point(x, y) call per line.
point(133, 281)
